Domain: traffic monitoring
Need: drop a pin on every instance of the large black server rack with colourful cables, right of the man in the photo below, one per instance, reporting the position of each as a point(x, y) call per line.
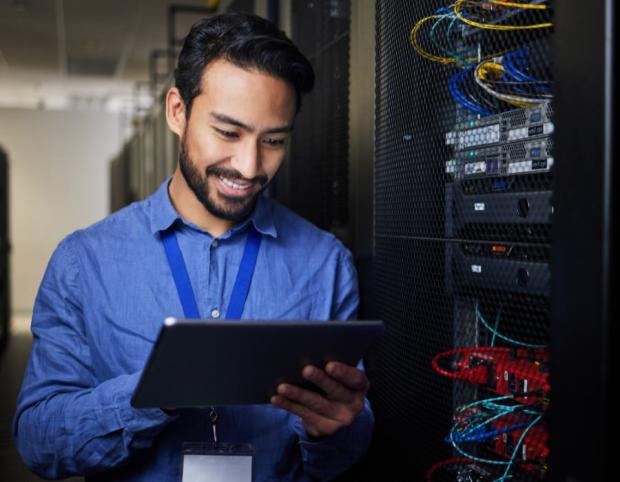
point(492, 242)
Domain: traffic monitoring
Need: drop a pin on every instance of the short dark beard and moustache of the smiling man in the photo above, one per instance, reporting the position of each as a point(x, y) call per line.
point(235, 209)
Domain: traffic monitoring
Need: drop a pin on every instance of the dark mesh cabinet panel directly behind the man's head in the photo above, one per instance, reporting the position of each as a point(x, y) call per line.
point(318, 160)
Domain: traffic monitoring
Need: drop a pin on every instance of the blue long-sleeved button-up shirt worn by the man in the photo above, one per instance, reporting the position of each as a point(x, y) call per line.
point(104, 296)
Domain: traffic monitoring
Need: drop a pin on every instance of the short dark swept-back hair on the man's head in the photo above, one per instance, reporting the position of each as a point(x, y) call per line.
point(246, 40)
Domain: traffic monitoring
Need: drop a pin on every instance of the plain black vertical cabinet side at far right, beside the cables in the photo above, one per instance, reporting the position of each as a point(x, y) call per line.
point(584, 263)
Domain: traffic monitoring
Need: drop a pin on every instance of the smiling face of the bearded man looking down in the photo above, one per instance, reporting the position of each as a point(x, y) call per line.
point(236, 137)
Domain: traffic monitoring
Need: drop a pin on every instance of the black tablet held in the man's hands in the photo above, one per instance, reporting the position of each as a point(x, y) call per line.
point(202, 363)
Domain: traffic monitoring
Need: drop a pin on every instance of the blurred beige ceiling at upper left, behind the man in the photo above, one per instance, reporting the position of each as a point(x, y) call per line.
point(57, 54)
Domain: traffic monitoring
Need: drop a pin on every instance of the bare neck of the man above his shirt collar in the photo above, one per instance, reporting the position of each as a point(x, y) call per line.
point(192, 210)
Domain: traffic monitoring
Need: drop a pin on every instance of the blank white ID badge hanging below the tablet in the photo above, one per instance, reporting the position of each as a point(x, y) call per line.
point(217, 463)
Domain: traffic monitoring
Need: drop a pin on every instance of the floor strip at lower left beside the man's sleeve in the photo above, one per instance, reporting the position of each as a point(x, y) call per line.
point(12, 364)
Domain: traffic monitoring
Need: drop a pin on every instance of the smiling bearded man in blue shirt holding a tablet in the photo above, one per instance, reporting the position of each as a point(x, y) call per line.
point(107, 288)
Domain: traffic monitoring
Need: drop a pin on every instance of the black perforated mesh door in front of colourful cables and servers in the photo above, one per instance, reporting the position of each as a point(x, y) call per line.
point(463, 185)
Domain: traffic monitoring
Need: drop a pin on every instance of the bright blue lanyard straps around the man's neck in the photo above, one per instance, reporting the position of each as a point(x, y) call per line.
point(184, 285)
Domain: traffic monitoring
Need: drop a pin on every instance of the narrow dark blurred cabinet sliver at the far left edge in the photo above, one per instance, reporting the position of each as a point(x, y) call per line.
point(5, 306)
